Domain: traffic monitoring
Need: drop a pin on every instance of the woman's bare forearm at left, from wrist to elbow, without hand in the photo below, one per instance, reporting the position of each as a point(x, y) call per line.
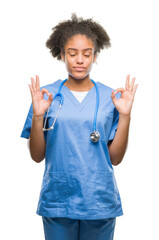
point(37, 141)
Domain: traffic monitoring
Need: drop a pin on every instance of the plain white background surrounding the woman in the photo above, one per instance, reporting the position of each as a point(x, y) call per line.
point(133, 28)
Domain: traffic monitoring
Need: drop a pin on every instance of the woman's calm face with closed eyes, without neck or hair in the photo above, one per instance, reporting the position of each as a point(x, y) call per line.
point(79, 56)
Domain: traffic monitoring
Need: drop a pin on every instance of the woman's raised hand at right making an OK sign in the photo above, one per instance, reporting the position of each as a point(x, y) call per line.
point(124, 104)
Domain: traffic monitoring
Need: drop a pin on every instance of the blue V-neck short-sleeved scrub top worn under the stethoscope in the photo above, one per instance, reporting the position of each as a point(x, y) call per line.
point(78, 180)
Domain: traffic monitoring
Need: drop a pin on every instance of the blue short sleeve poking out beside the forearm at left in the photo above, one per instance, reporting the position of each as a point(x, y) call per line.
point(27, 125)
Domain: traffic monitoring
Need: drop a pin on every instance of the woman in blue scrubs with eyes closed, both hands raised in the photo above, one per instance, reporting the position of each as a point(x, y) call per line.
point(82, 140)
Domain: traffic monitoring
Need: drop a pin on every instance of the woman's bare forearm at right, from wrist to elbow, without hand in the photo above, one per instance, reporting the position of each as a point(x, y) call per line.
point(118, 146)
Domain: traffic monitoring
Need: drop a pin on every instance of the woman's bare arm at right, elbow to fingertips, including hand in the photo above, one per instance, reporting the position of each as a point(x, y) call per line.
point(117, 147)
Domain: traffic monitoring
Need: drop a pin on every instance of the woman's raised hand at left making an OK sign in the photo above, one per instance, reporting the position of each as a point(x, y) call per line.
point(40, 106)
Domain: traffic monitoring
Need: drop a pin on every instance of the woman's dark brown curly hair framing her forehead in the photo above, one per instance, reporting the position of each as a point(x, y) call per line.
point(67, 29)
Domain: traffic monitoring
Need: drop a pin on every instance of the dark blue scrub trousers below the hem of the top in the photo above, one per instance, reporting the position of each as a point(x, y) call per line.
point(71, 229)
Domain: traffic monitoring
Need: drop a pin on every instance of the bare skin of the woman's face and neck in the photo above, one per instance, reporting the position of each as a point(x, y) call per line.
point(79, 52)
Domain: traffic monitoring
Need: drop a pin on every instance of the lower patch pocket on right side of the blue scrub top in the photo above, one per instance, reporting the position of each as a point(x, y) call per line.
point(105, 190)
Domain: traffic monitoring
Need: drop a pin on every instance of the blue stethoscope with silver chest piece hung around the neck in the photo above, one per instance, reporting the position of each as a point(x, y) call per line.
point(94, 136)
